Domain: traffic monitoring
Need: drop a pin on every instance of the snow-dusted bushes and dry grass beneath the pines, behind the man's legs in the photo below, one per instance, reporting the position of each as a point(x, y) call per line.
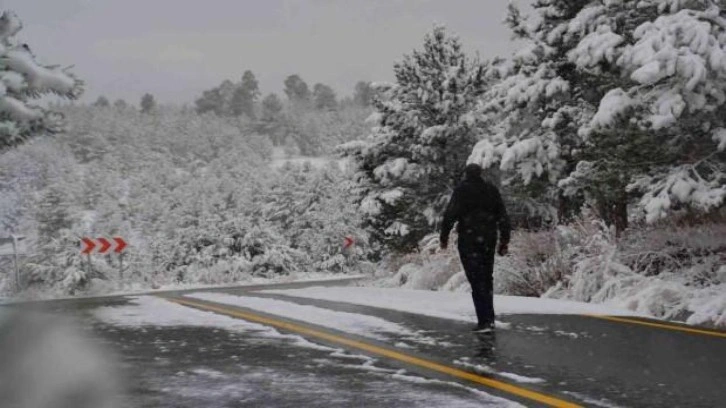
point(671, 272)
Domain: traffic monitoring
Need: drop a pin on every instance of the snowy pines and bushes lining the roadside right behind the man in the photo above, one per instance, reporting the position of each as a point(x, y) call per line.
point(605, 131)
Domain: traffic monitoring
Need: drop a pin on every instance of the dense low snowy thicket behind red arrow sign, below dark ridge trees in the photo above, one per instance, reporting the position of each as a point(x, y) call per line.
point(195, 196)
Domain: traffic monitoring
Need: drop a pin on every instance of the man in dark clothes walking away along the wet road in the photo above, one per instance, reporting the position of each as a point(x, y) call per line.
point(477, 206)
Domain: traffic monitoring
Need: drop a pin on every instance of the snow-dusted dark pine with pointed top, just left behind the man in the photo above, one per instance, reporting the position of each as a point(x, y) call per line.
point(425, 132)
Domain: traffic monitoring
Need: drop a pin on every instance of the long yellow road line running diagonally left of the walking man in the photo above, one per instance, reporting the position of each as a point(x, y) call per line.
point(389, 353)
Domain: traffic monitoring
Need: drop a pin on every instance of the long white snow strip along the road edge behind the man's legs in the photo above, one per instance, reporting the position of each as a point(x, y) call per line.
point(447, 305)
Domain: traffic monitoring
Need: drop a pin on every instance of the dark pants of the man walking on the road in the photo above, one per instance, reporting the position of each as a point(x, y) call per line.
point(478, 261)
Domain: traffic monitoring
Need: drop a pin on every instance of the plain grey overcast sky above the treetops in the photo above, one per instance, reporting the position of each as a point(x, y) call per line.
point(177, 48)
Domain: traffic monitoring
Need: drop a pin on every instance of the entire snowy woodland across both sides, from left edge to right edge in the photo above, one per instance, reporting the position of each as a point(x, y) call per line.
point(606, 131)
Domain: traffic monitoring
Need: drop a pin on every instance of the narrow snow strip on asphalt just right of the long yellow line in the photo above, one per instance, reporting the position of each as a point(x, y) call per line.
point(362, 325)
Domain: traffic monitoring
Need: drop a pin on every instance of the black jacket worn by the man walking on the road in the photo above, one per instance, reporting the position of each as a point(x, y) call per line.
point(479, 210)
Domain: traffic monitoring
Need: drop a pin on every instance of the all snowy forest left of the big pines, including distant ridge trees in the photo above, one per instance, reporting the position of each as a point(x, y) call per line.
point(191, 189)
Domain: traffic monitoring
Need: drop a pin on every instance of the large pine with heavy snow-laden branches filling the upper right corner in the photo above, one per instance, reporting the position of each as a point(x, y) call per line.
point(616, 97)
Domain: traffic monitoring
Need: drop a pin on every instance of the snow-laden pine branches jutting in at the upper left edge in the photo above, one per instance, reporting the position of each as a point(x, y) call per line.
point(22, 80)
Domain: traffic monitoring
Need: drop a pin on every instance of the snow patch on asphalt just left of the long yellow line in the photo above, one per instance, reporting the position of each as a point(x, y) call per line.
point(155, 311)
